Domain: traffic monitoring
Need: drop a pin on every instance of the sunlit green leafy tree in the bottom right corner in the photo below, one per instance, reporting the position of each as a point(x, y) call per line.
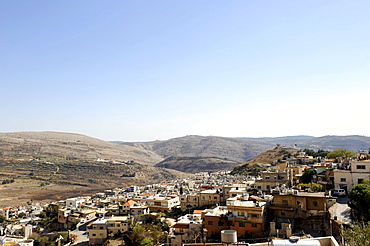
point(357, 235)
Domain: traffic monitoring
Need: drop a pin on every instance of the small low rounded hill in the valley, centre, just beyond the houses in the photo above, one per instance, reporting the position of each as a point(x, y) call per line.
point(197, 164)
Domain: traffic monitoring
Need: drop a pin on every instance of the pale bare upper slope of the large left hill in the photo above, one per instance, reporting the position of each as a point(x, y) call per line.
point(72, 146)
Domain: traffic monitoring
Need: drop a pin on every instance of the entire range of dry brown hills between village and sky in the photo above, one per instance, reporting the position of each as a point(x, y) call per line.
point(77, 164)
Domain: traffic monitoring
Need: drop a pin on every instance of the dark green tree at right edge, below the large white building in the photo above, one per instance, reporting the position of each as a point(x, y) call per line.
point(359, 200)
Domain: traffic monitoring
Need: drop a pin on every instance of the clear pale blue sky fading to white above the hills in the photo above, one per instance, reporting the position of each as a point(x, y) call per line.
point(154, 70)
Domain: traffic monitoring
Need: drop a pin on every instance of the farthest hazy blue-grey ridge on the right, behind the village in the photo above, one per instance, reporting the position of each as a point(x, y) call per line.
point(351, 142)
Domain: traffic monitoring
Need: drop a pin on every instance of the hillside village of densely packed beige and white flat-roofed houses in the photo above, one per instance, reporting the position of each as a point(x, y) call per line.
point(272, 204)
